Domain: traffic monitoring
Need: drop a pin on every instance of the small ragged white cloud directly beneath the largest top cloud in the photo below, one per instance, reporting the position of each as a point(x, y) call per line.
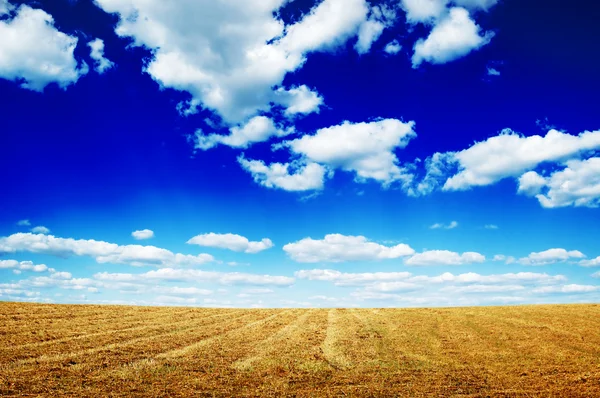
point(257, 129)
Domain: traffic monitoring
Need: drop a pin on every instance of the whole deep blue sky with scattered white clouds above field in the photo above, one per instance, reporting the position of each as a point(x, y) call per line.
point(300, 153)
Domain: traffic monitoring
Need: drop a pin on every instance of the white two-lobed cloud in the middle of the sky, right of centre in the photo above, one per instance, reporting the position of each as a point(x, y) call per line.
point(365, 149)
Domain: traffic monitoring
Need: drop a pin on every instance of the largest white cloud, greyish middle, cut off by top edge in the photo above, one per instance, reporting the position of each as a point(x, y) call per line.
point(230, 55)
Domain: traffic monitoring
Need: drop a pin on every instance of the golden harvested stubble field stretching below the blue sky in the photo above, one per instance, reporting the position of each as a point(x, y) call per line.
point(53, 350)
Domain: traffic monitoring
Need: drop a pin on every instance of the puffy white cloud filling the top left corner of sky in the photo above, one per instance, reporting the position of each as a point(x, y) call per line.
point(34, 53)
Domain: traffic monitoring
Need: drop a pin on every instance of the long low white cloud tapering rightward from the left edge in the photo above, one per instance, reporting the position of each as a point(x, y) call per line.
point(103, 252)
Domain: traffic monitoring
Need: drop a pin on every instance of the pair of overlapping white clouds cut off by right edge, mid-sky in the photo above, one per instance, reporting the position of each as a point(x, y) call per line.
point(511, 155)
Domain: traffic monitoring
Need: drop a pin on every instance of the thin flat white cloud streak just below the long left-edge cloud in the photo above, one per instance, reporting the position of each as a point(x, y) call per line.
point(193, 275)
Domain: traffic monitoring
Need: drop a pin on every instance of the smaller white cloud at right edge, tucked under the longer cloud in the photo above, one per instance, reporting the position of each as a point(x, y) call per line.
point(577, 185)
